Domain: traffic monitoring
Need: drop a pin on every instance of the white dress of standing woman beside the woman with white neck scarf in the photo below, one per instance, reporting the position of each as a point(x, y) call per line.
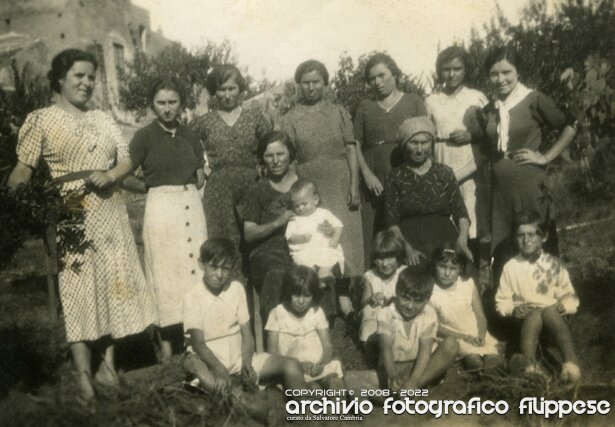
point(449, 113)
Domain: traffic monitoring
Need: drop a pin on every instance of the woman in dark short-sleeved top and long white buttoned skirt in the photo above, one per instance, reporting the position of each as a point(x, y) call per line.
point(174, 228)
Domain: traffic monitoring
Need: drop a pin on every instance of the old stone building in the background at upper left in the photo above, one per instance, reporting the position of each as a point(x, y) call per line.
point(33, 31)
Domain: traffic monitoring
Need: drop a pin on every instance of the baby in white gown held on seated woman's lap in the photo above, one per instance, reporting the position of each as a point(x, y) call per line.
point(308, 245)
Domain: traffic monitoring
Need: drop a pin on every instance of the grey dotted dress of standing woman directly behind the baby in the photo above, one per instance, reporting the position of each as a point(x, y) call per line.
point(320, 133)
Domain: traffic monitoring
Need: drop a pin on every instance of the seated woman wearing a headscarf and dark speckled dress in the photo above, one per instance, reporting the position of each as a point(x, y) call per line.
point(421, 196)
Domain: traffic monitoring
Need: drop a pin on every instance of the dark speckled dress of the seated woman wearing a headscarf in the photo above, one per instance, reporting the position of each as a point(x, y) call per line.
point(422, 206)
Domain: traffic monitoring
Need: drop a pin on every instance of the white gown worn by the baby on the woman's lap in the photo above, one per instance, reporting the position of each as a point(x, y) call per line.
point(315, 252)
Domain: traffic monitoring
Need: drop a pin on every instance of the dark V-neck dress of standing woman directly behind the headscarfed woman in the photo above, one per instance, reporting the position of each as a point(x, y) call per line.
point(376, 129)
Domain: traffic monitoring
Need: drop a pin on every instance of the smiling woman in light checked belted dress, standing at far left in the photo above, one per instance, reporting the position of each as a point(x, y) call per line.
point(107, 296)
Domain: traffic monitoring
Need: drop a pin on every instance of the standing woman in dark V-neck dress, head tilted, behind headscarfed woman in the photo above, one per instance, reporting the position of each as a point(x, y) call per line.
point(375, 128)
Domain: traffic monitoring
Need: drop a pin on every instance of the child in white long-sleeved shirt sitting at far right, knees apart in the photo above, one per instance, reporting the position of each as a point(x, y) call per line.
point(535, 289)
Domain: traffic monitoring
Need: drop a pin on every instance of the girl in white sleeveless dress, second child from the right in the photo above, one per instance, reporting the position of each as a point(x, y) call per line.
point(460, 310)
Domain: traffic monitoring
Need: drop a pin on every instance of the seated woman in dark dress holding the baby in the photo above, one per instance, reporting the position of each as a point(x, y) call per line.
point(265, 211)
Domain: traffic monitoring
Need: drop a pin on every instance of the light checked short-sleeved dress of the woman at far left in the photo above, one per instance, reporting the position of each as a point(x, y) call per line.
point(108, 294)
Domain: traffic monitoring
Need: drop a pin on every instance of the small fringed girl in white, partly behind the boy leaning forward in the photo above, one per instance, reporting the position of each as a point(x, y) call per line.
point(379, 289)
